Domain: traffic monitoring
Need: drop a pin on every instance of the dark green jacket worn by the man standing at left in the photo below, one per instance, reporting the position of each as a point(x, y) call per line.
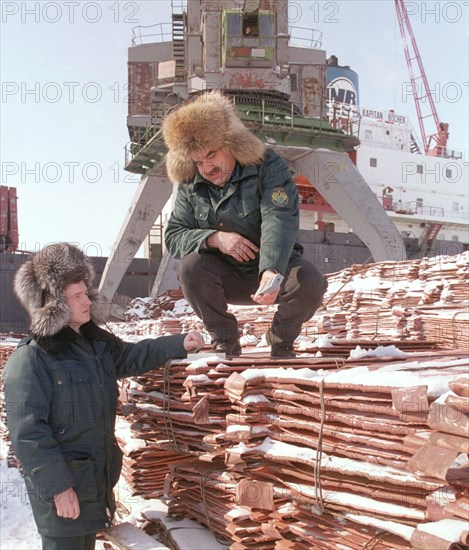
point(61, 408)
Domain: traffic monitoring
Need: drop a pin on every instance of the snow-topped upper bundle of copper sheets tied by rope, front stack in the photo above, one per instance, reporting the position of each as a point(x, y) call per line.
point(338, 441)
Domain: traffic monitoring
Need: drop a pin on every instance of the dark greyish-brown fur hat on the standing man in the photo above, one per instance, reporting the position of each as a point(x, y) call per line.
point(40, 283)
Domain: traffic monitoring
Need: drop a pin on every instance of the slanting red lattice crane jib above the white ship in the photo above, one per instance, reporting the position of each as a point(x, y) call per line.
point(433, 142)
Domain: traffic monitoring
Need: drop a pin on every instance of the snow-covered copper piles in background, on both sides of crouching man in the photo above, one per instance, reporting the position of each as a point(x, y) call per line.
point(414, 301)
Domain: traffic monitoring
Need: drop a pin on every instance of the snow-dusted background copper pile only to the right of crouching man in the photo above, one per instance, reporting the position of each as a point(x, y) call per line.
point(404, 300)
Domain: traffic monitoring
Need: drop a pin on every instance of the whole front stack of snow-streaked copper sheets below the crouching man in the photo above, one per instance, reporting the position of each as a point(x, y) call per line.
point(348, 452)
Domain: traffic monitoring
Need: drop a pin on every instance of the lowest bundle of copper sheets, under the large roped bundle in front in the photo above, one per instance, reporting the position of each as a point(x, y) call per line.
point(223, 501)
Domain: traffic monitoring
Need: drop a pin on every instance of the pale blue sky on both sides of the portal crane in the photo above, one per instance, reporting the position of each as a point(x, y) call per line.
point(64, 81)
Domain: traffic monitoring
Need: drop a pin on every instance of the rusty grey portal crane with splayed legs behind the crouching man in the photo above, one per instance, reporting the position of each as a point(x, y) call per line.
point(276, 77)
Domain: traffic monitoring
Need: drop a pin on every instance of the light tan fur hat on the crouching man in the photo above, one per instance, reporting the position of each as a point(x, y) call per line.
point(208, 121)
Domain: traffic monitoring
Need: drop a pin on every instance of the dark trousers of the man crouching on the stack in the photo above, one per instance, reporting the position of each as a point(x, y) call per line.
point(209, 283)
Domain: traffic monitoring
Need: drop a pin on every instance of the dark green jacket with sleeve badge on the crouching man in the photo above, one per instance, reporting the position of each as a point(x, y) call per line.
point(260, 202)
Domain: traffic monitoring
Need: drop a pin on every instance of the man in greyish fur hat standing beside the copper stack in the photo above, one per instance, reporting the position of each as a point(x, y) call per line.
point(61, 396)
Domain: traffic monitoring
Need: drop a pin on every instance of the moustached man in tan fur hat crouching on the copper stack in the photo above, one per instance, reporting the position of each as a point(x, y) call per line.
point(235, 225)
